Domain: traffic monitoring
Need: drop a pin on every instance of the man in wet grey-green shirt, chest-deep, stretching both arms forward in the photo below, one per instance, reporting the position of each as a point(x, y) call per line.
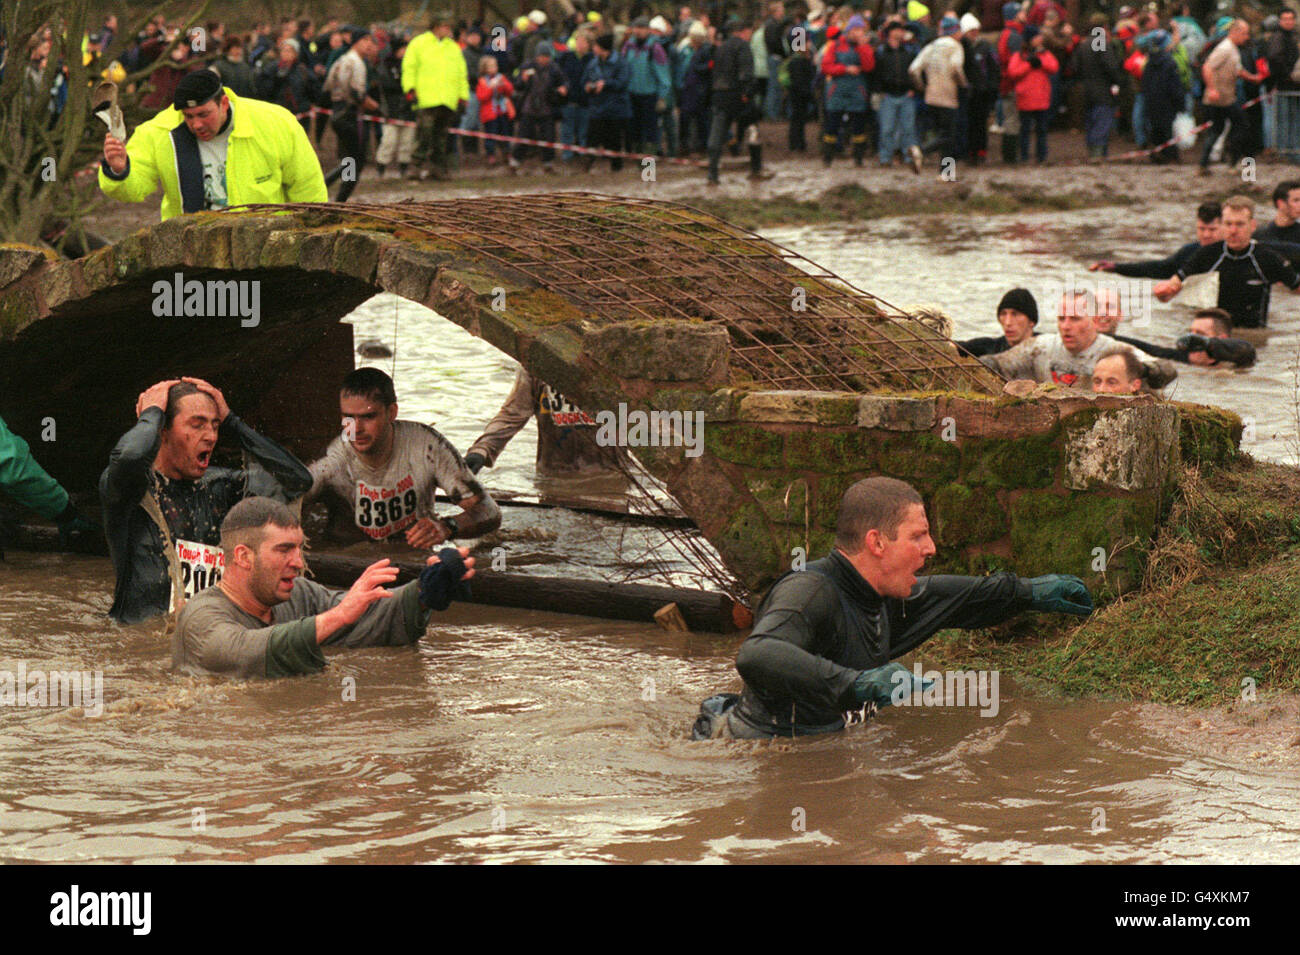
point(263, 620)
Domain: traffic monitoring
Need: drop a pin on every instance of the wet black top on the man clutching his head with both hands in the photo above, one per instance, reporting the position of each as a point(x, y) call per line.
point(194, 510)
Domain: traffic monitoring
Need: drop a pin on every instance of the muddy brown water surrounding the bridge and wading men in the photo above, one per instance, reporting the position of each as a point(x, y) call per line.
point(513, 736)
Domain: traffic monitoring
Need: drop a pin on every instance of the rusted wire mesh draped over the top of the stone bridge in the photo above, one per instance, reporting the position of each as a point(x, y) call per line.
point(794, 324)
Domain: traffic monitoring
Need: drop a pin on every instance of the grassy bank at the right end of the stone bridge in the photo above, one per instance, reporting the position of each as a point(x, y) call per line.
point(1220, 605)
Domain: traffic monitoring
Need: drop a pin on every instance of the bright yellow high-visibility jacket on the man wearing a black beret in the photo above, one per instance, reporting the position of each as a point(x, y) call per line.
point(268, 160)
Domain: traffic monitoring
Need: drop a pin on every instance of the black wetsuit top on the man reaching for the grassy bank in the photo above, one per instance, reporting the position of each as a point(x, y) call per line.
point(817, 631)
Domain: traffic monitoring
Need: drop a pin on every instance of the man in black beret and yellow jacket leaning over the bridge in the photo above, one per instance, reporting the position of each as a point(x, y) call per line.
point(211, 150)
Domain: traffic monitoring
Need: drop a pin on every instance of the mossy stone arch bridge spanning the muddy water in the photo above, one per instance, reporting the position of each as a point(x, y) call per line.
point(807, 384)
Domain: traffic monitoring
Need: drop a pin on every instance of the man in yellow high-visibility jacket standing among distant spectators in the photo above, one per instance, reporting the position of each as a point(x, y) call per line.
point(436, 79)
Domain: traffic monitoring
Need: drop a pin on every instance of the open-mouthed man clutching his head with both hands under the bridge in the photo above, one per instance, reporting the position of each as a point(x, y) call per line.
point(164, 502)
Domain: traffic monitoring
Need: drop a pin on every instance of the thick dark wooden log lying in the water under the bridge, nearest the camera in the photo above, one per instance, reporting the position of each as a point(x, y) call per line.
point(700, 610)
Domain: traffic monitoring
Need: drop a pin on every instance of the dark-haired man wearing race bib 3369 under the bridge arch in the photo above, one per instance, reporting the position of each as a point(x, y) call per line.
point(382, 476)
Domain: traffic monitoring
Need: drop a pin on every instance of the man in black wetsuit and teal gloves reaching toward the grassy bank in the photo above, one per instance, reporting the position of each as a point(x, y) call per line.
point(824, 637)
